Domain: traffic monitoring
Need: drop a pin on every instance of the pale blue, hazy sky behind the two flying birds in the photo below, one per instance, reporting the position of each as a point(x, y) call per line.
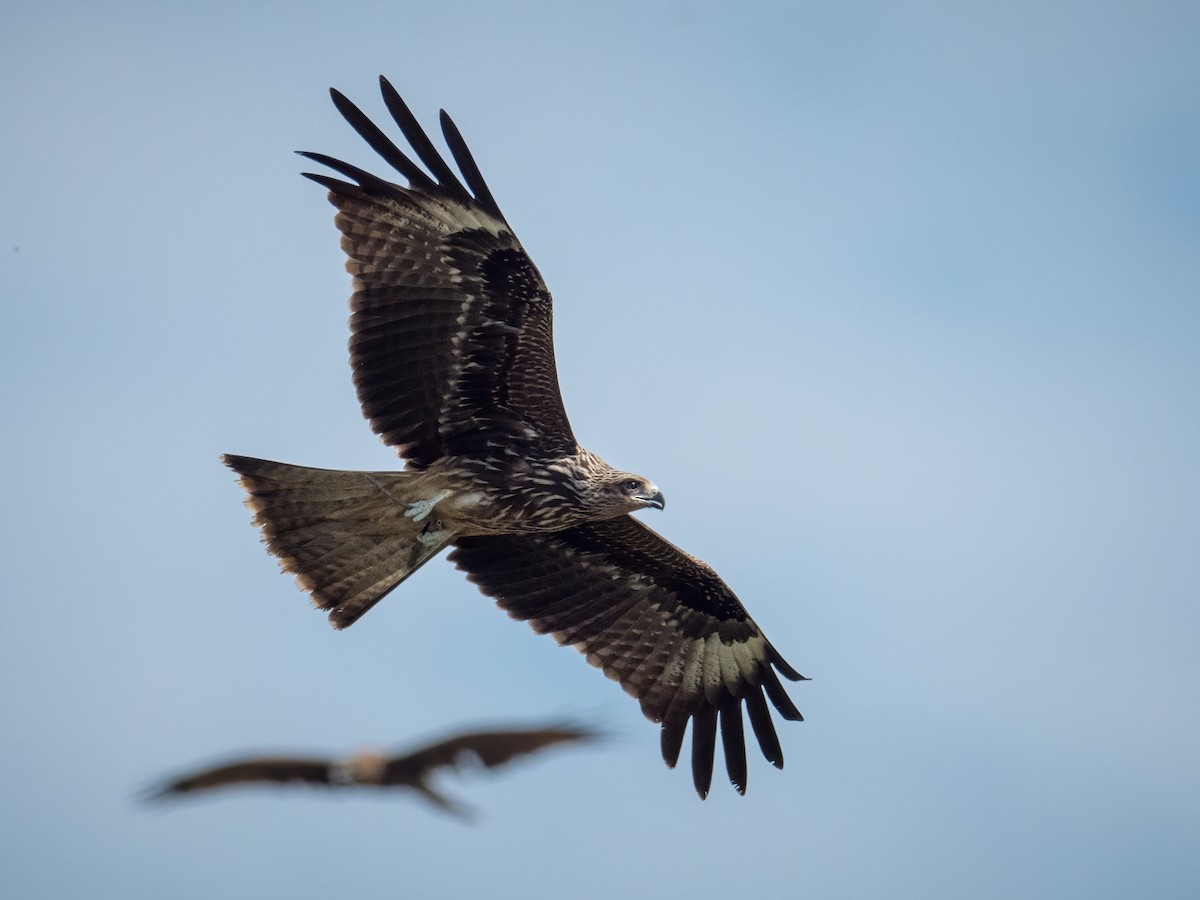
point(899, 304)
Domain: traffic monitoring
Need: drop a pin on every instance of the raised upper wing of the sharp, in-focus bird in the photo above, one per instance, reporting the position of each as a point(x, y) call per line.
point(452, 343)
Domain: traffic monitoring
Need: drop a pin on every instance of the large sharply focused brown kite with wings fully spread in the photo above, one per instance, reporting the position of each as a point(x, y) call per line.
point(454, 363)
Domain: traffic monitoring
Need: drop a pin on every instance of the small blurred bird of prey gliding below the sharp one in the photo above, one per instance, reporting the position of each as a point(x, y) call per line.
point(371, 769)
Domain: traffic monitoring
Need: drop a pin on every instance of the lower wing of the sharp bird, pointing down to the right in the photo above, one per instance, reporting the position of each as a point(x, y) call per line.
point(652, 617)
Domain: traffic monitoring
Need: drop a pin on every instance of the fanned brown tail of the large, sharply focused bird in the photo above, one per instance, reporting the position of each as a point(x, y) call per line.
point(344, 535)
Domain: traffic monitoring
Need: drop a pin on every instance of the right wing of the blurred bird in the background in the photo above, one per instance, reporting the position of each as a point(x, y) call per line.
point(491, 748)
